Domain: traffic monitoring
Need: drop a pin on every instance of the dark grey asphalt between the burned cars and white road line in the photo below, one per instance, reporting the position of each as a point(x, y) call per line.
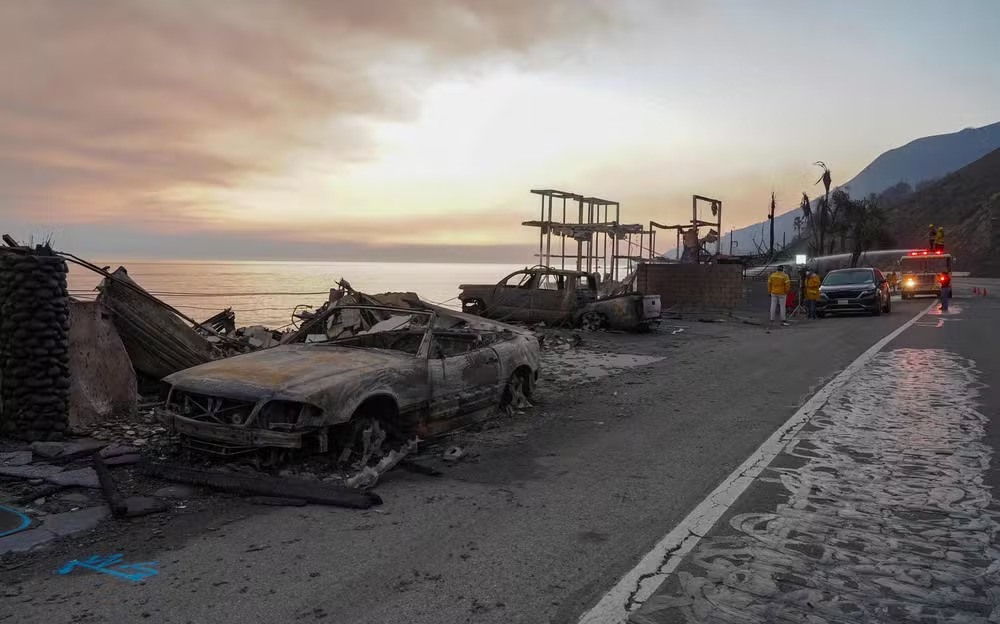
point(558, 505)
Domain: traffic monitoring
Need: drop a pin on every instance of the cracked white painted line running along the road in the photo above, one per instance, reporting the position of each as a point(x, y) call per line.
point(639, 583)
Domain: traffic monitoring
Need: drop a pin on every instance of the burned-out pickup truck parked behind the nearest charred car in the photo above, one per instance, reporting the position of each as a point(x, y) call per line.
point(559, 297)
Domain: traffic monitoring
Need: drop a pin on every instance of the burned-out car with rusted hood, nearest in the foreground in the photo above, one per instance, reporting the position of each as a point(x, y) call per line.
point(411, 373)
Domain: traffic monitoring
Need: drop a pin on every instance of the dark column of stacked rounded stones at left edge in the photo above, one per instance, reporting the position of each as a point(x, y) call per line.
point(34, 344)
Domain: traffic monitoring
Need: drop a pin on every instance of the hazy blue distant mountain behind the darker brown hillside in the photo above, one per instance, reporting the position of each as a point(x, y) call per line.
point(922, 159)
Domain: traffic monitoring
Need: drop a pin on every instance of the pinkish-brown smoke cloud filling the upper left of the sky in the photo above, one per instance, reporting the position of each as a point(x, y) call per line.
point(113, 109)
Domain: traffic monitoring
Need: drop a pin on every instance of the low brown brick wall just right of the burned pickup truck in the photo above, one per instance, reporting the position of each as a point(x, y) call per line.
point(714, 287)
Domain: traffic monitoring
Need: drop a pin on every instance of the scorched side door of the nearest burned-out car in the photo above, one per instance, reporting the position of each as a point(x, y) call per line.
point(464, 374)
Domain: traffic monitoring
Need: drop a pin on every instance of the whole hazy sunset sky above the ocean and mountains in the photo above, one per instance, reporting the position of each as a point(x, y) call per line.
point(414, 129)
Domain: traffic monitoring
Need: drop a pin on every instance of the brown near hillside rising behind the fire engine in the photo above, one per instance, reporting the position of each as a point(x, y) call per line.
point(967, 204)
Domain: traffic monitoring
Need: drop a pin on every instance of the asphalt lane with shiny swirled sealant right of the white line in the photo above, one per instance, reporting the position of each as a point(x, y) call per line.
point(880, 509)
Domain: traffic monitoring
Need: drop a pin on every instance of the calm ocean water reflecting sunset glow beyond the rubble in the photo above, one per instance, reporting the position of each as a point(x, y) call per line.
point(265, 293)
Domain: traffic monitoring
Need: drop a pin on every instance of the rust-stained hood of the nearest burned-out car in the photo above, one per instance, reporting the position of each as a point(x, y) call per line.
point(295, 372)
